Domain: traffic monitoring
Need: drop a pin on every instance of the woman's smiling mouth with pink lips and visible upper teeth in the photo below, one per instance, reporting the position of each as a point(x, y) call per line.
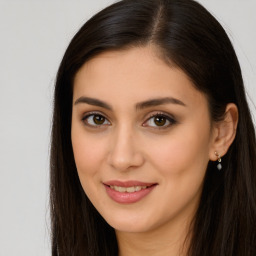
point(129, 191)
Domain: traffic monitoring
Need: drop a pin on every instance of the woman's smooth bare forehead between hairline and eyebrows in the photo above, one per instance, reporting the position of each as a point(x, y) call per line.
point(135, 74)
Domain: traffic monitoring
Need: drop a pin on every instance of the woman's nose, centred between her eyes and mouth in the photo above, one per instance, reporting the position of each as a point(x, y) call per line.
point(125, 150)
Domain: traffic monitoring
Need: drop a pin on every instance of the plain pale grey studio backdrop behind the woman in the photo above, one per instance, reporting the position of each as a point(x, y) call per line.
point(34, 36)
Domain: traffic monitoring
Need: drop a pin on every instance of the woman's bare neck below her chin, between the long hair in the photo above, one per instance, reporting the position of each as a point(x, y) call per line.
point(170, 239)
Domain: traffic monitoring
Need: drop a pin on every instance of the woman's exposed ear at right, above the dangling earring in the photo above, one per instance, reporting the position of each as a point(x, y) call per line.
point(224, 132)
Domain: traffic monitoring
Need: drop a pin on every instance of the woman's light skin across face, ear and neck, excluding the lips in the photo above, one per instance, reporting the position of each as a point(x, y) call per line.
point(136, 118)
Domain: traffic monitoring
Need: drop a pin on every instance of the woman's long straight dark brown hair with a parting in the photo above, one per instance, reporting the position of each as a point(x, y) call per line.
point(190, 37)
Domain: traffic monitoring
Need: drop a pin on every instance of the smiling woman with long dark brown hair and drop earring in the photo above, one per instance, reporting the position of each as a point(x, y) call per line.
point(153, 145)
